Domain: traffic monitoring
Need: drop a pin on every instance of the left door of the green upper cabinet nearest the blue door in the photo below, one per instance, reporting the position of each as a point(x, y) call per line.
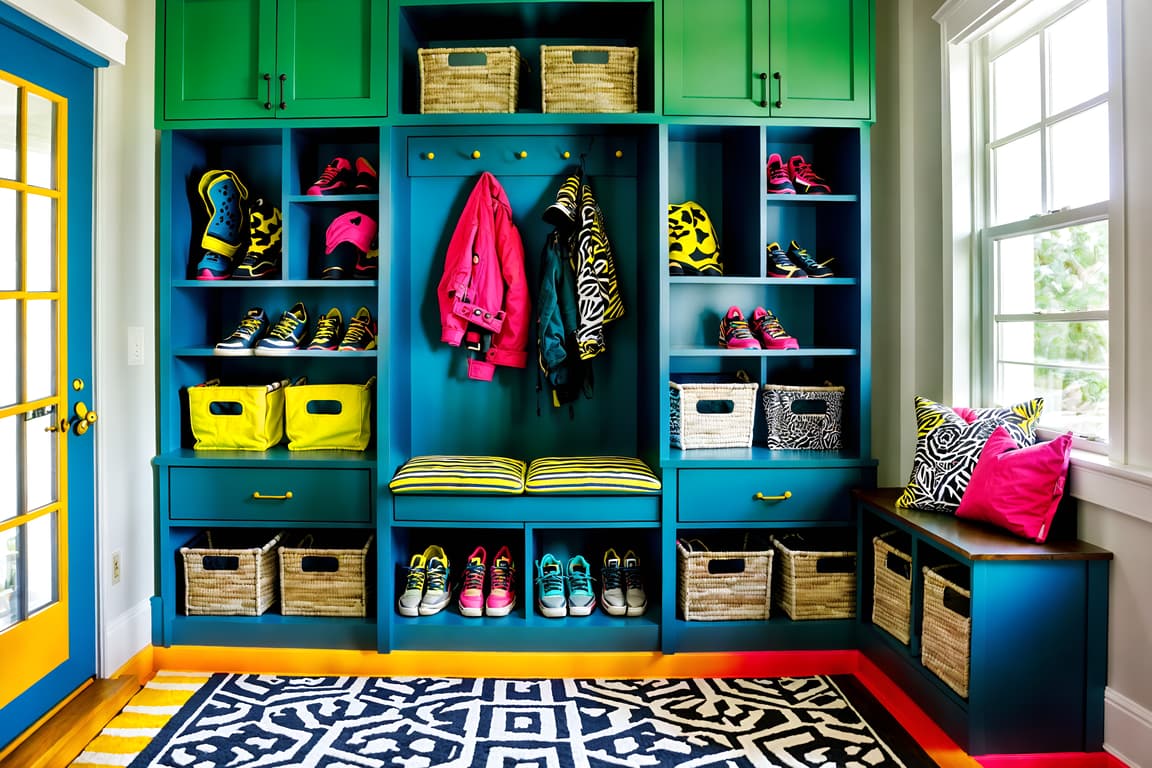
point(216, 56)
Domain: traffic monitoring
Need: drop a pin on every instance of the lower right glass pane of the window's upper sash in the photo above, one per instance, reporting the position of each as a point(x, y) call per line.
point(1080, 158)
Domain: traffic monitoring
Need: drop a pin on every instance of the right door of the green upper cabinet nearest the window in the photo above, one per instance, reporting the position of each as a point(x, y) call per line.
point(821, 58)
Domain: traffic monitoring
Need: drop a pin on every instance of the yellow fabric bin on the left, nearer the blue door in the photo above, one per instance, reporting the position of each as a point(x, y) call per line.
point(237, 419)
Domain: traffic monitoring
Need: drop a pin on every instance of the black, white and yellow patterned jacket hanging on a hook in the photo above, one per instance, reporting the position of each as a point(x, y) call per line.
point(577, 212)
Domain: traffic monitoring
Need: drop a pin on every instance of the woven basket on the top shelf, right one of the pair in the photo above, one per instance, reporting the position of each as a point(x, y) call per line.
point(588, 79)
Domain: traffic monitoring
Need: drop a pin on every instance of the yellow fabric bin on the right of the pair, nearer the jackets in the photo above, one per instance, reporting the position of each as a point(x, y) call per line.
point(330, 417)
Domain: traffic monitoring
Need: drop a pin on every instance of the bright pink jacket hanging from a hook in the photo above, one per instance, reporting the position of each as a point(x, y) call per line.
point(484, 287)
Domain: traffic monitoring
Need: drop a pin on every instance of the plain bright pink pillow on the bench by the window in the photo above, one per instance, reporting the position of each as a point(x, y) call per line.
point(1018, 489)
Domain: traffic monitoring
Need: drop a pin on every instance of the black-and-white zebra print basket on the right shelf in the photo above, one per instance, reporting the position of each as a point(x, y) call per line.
point(802, 417)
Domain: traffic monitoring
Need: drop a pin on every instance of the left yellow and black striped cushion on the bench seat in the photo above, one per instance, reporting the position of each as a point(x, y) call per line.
point(460, 475)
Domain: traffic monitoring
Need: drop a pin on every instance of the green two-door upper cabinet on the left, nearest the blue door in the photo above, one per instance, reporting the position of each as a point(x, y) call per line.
point(255, 59)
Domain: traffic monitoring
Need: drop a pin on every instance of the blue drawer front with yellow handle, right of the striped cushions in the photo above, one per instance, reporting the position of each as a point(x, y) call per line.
point(731, 496)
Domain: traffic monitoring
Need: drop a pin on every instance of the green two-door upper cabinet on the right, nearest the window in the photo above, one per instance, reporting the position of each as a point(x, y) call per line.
point(769, 58)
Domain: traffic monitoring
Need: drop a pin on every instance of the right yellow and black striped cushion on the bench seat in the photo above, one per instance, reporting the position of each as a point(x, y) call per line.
point(592, 475)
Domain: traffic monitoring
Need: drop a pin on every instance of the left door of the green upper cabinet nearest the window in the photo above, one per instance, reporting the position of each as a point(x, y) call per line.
point(716, 58)
